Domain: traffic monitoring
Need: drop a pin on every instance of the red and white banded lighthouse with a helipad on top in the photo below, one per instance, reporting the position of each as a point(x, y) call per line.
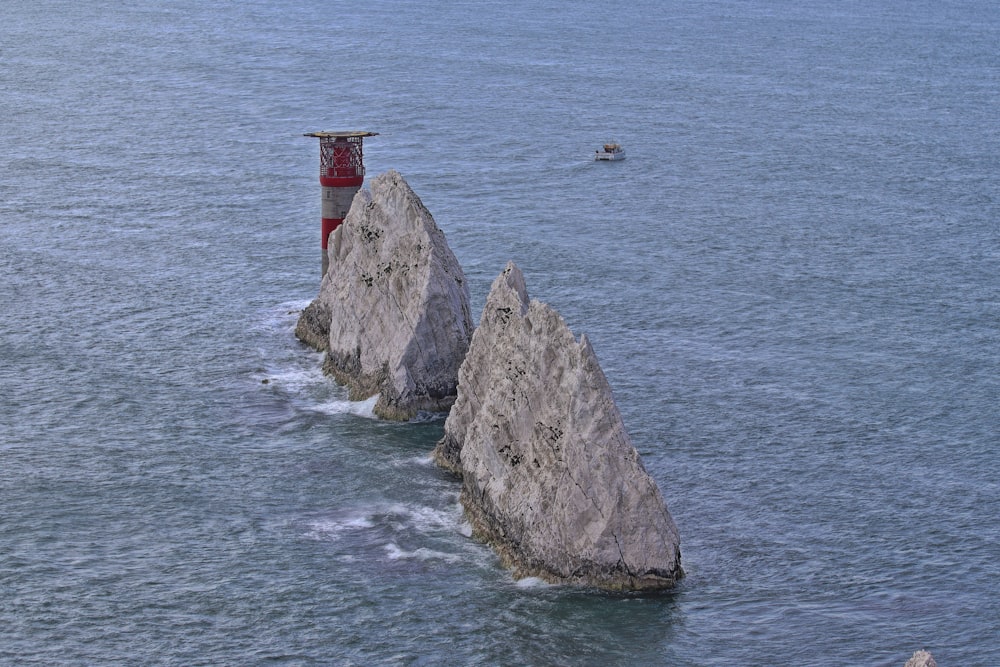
point(341, 174)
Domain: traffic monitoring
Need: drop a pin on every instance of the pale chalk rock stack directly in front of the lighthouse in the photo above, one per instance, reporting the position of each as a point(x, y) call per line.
point(393, 309)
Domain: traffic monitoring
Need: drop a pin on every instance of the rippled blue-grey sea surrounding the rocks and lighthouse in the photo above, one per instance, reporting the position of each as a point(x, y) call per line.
point(792, 284)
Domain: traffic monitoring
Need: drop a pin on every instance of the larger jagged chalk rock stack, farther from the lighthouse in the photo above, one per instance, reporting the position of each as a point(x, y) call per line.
point(549, 475)
